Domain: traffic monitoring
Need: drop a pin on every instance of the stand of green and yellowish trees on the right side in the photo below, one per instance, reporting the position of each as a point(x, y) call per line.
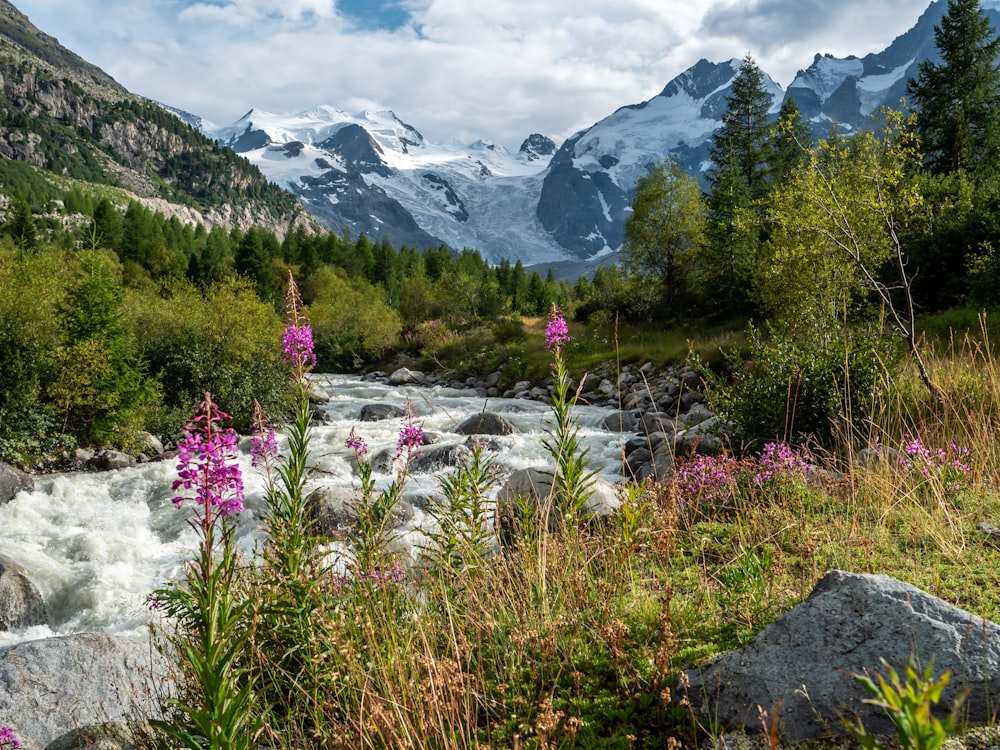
point(923, 178)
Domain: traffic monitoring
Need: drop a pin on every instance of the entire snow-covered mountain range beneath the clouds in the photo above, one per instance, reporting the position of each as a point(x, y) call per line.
point(372, 172)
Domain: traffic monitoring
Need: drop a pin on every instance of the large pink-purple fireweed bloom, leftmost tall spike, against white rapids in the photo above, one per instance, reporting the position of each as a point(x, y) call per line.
point(207, 463)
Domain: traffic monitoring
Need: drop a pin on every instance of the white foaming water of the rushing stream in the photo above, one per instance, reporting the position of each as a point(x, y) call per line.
point(97, 544)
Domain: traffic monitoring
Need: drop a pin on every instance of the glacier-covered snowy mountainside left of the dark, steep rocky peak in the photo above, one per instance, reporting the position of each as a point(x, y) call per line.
point(372, 172)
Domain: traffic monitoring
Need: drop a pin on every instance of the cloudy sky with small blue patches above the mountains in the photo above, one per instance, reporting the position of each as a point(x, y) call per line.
point(496, 70)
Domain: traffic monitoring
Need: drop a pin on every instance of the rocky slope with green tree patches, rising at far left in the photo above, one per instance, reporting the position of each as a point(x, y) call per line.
point(63, 115)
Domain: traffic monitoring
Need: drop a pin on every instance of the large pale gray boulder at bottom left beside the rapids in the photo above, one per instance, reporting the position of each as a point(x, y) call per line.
point(56, 688)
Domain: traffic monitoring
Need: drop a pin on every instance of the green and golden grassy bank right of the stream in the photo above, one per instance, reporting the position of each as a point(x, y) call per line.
point(576, 639)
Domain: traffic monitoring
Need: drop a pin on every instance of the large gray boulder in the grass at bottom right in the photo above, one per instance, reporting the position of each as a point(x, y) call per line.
point(804, 661)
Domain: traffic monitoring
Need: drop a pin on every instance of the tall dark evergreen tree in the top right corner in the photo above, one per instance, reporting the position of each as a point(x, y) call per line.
point(958, 99)
